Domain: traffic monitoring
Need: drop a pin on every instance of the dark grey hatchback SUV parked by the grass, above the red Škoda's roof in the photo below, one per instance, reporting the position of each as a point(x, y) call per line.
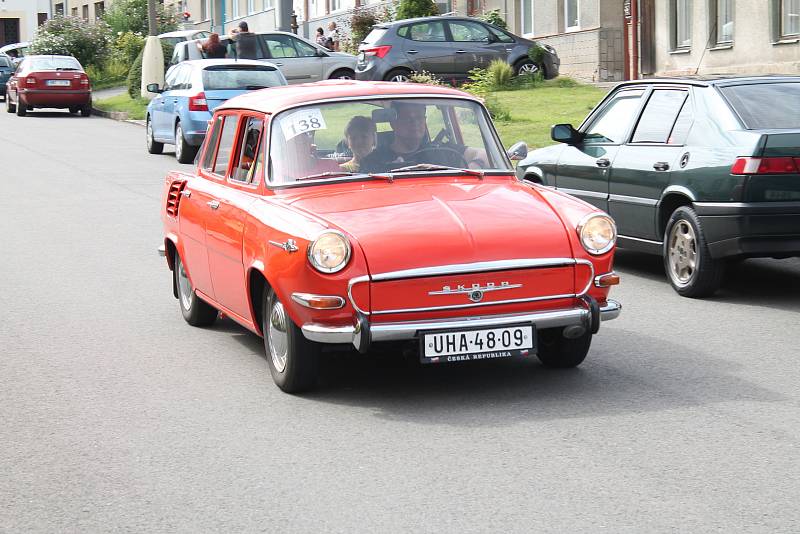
point(447, 47)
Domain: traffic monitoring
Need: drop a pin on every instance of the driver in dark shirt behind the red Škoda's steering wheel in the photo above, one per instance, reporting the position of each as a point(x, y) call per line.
point(411, 145)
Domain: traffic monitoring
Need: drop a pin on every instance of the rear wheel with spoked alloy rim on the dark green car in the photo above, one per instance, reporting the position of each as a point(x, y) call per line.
point(687, 260)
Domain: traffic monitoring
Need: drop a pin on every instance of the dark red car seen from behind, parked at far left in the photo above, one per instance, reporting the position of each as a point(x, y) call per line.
point(49, 82)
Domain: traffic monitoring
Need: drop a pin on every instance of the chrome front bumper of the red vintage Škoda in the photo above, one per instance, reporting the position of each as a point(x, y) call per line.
point(363, 333)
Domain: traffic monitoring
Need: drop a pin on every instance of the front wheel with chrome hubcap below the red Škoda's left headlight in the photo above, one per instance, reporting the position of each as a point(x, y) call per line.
point(300, 369)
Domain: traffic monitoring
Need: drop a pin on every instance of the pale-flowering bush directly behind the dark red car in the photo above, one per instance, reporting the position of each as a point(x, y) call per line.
point(90, 43)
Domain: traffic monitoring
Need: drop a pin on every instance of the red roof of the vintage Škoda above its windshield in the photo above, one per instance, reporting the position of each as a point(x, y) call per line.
point(277, 99)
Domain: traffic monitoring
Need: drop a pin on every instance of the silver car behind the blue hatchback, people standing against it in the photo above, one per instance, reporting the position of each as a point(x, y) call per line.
point(300, 60)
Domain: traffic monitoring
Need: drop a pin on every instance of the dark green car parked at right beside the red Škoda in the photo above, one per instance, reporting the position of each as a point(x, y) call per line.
point(698, 171)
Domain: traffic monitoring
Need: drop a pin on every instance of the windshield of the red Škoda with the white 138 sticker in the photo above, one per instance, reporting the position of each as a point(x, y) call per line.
point(396, 136)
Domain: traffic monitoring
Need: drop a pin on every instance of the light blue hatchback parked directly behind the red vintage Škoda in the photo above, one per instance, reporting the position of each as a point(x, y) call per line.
point(192, 90)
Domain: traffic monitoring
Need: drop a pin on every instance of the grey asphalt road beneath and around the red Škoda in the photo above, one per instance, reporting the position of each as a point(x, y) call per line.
point(116, 416)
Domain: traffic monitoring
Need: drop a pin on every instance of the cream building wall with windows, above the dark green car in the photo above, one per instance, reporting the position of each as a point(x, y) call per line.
point(726, 36)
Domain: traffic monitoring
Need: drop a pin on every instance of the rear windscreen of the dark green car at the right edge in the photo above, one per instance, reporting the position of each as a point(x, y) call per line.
point(766, 105)
